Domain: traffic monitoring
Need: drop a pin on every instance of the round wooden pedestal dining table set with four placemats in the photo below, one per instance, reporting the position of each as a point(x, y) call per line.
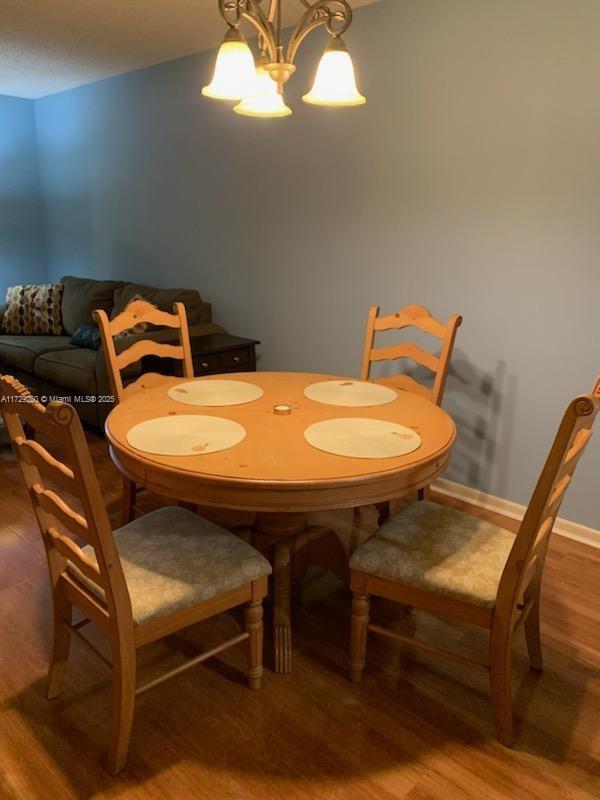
point(277, 474)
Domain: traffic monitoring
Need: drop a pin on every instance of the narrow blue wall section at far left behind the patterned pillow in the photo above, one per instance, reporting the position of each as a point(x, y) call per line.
point(22, 257)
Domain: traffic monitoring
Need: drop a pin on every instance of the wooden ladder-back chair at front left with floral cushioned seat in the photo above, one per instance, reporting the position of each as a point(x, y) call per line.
point(158, 574)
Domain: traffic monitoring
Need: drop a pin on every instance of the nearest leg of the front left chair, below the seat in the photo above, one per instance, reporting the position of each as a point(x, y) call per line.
point(123, 706)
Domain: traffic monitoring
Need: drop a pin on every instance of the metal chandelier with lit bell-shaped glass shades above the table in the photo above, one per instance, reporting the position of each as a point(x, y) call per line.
point(258, 86)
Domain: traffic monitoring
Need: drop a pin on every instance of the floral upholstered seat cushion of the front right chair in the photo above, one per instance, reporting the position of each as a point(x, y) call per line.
point(439, 549)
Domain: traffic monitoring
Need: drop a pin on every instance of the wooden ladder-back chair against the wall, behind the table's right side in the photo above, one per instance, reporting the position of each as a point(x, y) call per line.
point(410, 317)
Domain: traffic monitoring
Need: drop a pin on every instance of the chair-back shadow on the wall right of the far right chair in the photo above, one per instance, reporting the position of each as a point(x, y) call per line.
point(478, 402)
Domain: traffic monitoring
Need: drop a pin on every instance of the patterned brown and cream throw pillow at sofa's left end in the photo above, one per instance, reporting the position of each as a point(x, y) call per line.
point(33, 310)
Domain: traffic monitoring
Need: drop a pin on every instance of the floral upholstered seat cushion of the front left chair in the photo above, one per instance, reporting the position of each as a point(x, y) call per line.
point(172, 558)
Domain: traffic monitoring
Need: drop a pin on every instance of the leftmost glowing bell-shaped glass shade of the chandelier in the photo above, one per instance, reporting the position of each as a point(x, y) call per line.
point(234, 75)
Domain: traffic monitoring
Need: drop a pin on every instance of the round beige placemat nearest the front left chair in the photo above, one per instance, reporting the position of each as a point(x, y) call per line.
point(185, 435)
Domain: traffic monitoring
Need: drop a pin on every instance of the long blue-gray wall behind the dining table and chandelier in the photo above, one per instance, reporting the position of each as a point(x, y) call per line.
point(470, 183)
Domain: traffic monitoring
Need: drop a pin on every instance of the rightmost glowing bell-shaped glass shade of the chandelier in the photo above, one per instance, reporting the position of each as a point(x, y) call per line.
point(335, 82)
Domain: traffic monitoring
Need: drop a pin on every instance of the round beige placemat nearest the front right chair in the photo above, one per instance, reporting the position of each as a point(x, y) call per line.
point(357, 437)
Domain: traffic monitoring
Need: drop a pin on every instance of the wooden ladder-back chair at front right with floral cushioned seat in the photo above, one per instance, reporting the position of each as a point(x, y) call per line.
point(447, 562)
